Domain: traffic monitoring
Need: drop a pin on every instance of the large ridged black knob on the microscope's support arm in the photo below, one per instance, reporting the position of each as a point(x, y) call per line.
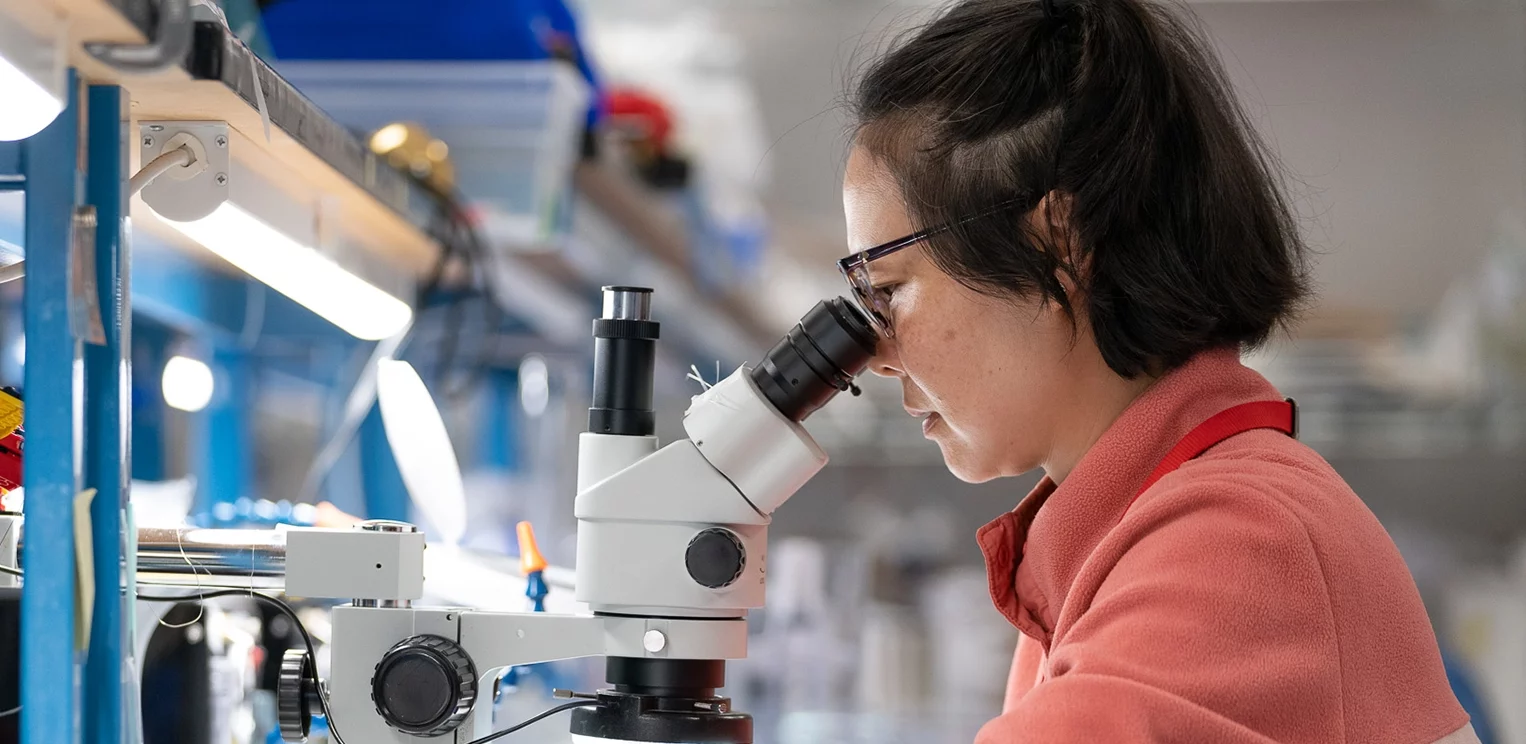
point(425, 687)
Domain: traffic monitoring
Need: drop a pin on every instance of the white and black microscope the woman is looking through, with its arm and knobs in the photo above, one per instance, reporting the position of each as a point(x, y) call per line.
point(672, 553)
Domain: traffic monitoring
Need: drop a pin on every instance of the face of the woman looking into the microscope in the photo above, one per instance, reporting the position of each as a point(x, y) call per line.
point(993, 379)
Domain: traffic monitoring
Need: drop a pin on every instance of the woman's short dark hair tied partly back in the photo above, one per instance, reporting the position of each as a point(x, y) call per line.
point(1179, 234)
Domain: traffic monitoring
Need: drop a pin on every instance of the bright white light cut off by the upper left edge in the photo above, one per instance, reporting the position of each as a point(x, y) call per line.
point(31, 85)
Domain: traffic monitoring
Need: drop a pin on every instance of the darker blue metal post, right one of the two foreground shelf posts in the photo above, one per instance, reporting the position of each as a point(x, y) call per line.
point(108, 412)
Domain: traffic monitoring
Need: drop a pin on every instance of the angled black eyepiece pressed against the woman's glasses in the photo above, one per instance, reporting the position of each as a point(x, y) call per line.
point(817, 359)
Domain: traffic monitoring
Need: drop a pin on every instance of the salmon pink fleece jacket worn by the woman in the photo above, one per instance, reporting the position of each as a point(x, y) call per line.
point(1246, 598)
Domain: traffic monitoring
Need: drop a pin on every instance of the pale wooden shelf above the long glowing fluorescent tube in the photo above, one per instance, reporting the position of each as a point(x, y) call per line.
point(307, 155)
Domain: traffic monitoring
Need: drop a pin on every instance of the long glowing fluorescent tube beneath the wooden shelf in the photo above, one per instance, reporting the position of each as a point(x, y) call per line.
point(300, 272)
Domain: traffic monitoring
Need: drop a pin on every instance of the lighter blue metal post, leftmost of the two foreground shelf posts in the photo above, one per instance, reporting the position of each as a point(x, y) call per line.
point(50, 667)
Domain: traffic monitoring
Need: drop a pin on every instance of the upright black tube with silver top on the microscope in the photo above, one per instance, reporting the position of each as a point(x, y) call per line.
point(625, 362)
